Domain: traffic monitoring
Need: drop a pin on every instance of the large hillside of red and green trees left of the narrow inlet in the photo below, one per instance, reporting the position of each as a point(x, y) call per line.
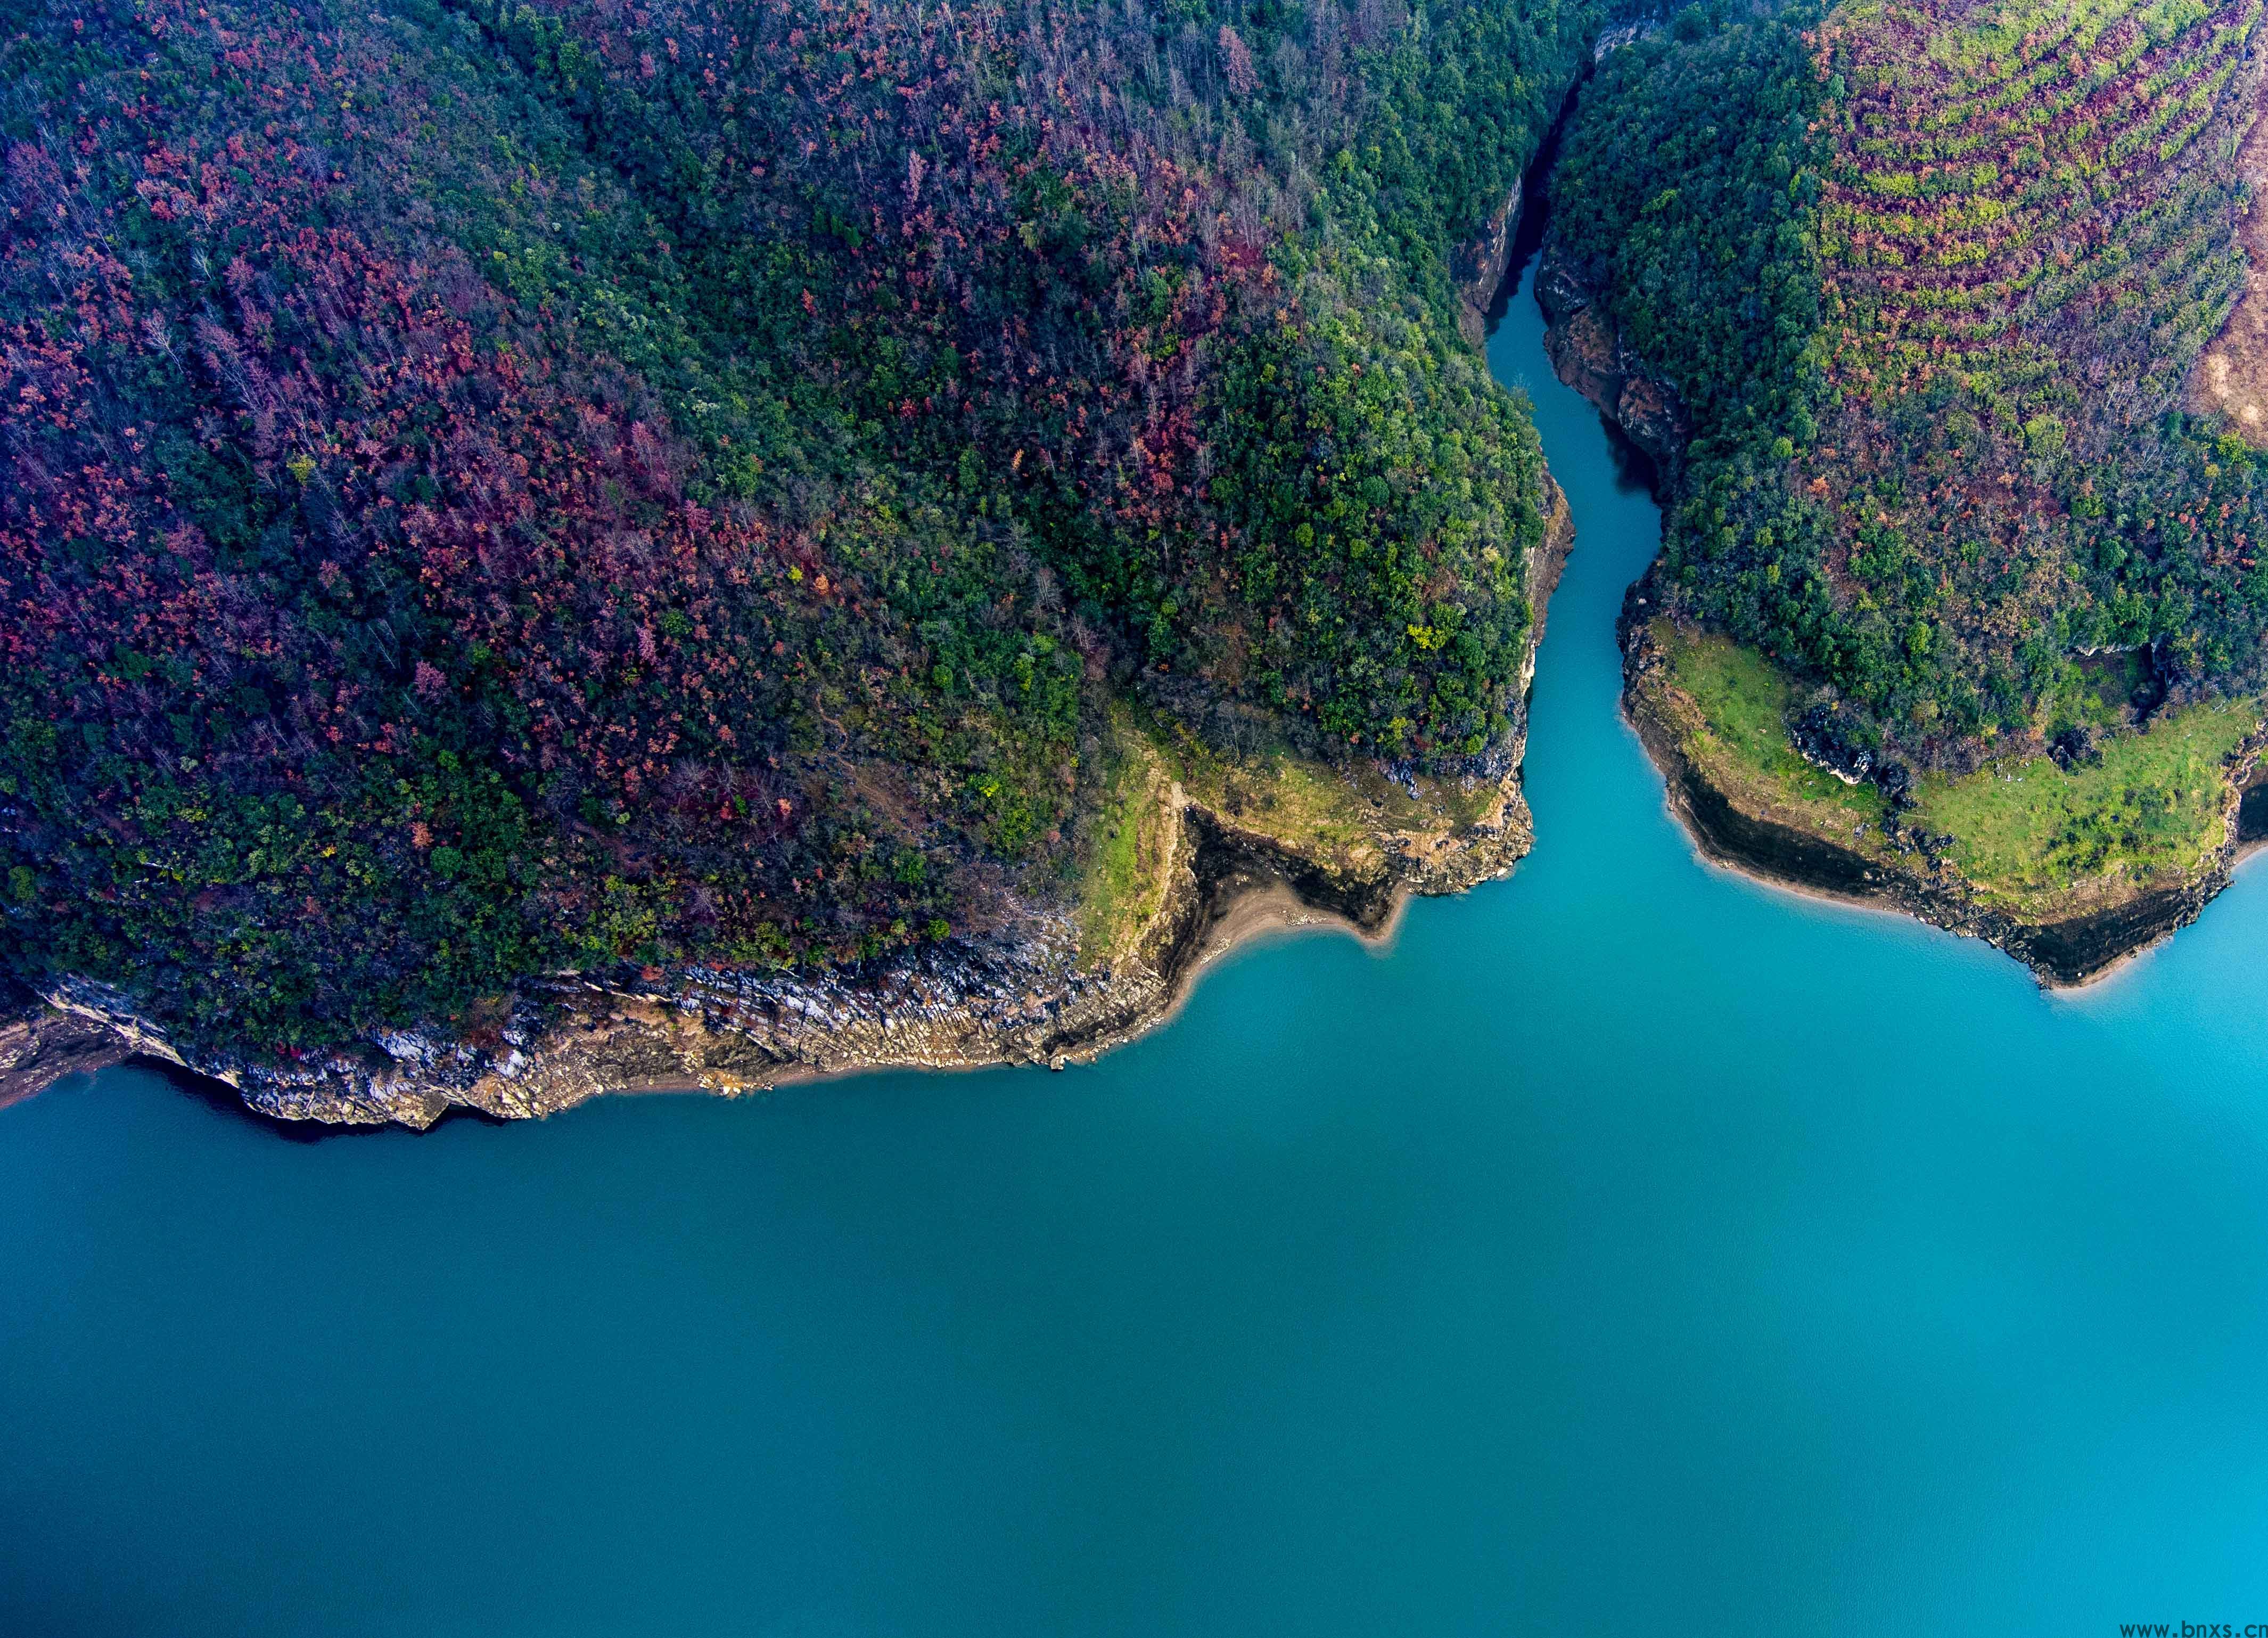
point(505, 489)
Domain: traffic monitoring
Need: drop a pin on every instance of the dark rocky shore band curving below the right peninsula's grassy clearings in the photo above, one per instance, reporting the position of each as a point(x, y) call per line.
point(1909, 875)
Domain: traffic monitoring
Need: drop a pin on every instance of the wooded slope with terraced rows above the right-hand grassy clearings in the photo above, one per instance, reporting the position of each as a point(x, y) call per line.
point(1929, 278)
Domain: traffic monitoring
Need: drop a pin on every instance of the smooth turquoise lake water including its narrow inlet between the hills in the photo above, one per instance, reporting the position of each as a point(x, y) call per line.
point(1625, 1251)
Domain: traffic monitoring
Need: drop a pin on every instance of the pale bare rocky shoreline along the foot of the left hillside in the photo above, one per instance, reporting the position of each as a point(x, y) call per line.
point(1019, 999)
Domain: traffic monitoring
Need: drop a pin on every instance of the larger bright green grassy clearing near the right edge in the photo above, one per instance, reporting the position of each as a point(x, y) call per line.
point(2153, 809)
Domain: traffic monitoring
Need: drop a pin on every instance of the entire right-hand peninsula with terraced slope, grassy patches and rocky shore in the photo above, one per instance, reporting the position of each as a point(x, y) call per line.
point(1943, 323)
